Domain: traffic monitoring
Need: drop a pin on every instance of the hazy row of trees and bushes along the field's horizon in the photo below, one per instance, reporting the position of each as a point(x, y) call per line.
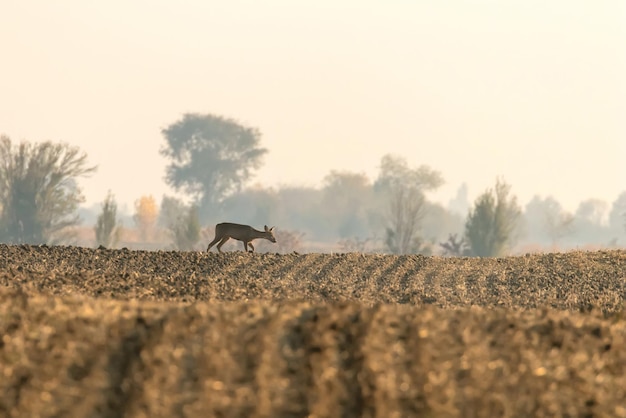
point(211, 160)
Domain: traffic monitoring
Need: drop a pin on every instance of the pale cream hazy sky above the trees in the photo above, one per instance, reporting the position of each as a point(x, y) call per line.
point(530, 90)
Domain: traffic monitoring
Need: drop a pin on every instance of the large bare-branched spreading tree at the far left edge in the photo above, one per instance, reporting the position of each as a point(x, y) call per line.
point(38, 190)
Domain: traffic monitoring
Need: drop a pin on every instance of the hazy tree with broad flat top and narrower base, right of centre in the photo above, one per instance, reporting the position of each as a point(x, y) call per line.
point(403, 188)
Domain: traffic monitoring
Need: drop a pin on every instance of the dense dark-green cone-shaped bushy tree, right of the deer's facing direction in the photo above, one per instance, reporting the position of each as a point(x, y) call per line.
point(491, 223)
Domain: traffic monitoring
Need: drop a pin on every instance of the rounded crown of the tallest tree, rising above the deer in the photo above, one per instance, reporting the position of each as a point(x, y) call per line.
point(210, 157)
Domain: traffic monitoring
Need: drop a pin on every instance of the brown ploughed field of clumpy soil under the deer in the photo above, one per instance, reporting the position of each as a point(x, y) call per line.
point(88, 332)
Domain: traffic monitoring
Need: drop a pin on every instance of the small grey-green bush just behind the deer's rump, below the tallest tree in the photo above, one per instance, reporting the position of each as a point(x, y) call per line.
point(182, 223)
